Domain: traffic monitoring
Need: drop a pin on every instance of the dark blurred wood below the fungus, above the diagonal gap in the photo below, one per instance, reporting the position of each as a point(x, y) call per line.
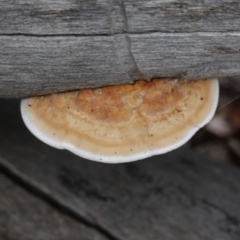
point(180, 195)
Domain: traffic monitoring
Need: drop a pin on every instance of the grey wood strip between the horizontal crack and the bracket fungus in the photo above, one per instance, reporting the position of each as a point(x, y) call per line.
point(41, 65)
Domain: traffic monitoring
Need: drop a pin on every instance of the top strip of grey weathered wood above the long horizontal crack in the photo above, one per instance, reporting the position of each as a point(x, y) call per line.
point(87, 17)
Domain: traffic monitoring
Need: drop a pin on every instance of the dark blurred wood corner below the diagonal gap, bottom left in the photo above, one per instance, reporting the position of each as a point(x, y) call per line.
point(25, 217)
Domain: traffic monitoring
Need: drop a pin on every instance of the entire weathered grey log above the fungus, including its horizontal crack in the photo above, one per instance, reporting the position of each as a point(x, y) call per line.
point(49, 46)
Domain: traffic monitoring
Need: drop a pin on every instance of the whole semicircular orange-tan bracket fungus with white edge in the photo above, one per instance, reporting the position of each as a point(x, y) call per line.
point(123, 123)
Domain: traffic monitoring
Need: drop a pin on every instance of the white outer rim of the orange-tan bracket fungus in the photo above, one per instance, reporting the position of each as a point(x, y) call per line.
point(119, 159)
